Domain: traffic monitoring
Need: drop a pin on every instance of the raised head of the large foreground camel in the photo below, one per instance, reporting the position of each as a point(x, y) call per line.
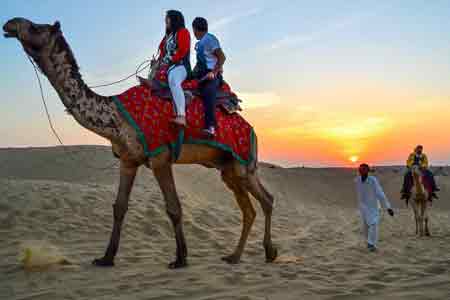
point(37, 40)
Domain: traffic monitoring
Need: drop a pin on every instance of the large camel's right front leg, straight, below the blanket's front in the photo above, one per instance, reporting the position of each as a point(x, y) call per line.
point(166, 182)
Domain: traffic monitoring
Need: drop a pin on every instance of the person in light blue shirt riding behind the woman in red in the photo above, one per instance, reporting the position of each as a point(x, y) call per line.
point(208, 69)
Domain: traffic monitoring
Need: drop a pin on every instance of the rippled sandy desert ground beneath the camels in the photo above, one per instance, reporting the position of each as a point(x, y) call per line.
point(51, 197)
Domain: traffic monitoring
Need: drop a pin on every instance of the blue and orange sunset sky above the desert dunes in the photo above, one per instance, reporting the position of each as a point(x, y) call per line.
point(322, 81)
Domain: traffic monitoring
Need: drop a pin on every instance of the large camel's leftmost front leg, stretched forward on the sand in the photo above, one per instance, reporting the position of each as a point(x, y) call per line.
point(120, 207)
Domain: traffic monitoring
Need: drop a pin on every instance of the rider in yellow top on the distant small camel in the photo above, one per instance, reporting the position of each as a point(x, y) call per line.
point(420, 159)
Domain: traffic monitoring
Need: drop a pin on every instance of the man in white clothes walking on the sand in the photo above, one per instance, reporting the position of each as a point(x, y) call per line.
point(370, 194)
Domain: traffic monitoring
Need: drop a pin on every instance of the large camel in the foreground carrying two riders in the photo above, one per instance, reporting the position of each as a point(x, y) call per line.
point(48, 48)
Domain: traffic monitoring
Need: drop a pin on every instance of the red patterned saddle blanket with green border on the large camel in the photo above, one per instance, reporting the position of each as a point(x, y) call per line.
point(150, 116)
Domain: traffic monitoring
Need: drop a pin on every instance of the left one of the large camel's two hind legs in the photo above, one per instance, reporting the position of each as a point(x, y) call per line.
point(234, 183)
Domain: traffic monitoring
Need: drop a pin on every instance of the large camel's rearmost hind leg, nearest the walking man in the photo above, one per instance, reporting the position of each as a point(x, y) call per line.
point(266, 200)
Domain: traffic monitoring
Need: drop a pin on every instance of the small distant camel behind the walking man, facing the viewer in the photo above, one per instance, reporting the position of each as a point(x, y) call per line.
point(420, 203)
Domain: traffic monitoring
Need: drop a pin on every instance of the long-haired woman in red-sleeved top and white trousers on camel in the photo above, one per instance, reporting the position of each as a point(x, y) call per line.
point(175, 52)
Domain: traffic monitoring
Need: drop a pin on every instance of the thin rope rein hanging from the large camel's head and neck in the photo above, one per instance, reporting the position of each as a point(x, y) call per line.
point(139, 69)
